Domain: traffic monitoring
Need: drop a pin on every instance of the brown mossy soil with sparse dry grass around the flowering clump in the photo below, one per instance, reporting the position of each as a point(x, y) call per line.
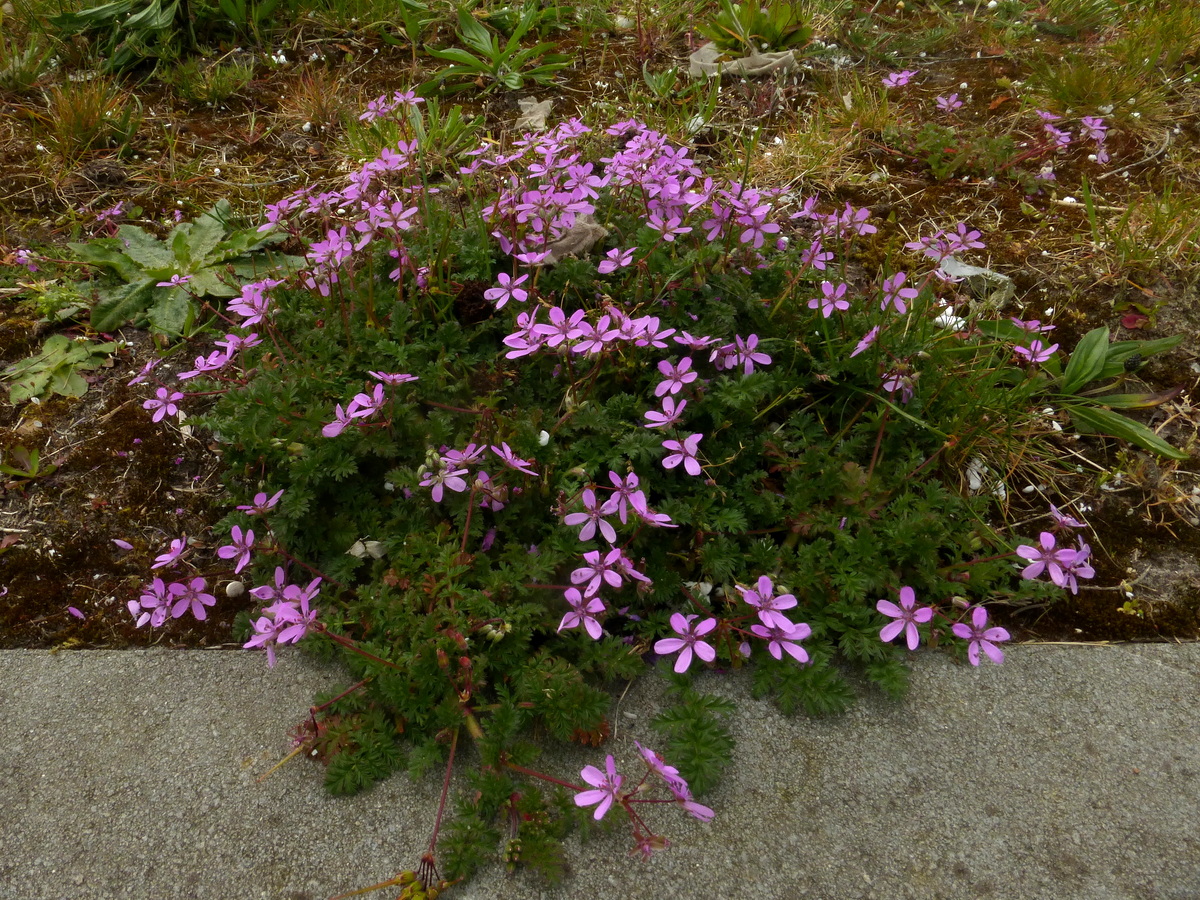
point(123, 478)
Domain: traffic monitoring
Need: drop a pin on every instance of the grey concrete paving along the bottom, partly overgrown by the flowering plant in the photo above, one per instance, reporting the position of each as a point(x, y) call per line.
point(1070, 772)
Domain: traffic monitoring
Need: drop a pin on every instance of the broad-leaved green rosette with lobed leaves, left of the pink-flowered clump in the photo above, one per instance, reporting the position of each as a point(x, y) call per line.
point(217, 257)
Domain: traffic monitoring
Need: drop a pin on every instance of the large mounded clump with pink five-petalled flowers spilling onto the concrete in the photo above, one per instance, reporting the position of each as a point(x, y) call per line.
point(502, 448)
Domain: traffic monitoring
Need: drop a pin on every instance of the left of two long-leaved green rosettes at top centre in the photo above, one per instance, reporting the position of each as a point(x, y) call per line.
point(493, 65)
